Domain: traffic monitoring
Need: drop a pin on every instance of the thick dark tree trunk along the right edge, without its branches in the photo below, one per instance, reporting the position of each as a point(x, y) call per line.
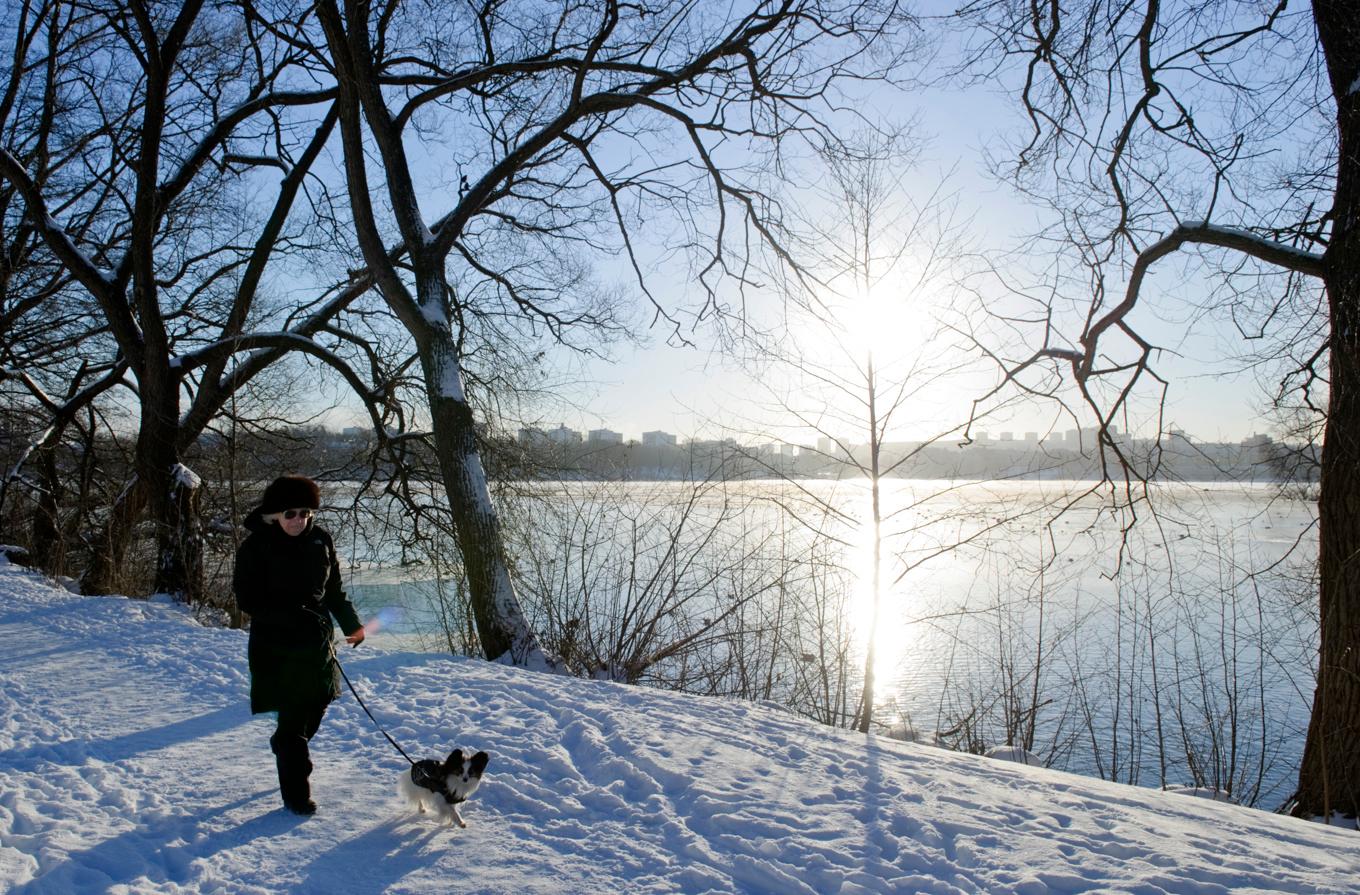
point(1329, 776)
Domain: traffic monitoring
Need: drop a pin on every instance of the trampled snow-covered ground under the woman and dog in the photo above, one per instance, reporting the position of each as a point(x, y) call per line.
point(130, 764)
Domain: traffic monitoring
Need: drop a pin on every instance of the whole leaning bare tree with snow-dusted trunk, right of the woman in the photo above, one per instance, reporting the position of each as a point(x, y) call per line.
point(565, 135)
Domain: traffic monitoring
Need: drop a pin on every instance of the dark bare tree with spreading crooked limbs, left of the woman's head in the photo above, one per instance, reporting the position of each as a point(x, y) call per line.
point(150, 123)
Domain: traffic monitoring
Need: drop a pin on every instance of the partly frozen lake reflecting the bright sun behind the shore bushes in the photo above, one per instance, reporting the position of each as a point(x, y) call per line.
point(1176, 649)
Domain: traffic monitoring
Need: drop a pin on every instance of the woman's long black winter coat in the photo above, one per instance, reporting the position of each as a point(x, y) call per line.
point(290, 587)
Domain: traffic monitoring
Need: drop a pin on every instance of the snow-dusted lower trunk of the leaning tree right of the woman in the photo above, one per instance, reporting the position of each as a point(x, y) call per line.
point(501, 625)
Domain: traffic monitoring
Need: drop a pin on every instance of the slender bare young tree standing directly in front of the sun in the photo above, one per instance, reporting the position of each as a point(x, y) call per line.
point(868, 362)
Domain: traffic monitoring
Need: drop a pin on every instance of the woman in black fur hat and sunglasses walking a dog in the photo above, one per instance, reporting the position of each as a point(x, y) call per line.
point(288, 579)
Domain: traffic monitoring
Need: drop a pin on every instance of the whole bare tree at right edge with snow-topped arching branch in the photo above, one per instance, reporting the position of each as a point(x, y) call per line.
point(1226, 130)
